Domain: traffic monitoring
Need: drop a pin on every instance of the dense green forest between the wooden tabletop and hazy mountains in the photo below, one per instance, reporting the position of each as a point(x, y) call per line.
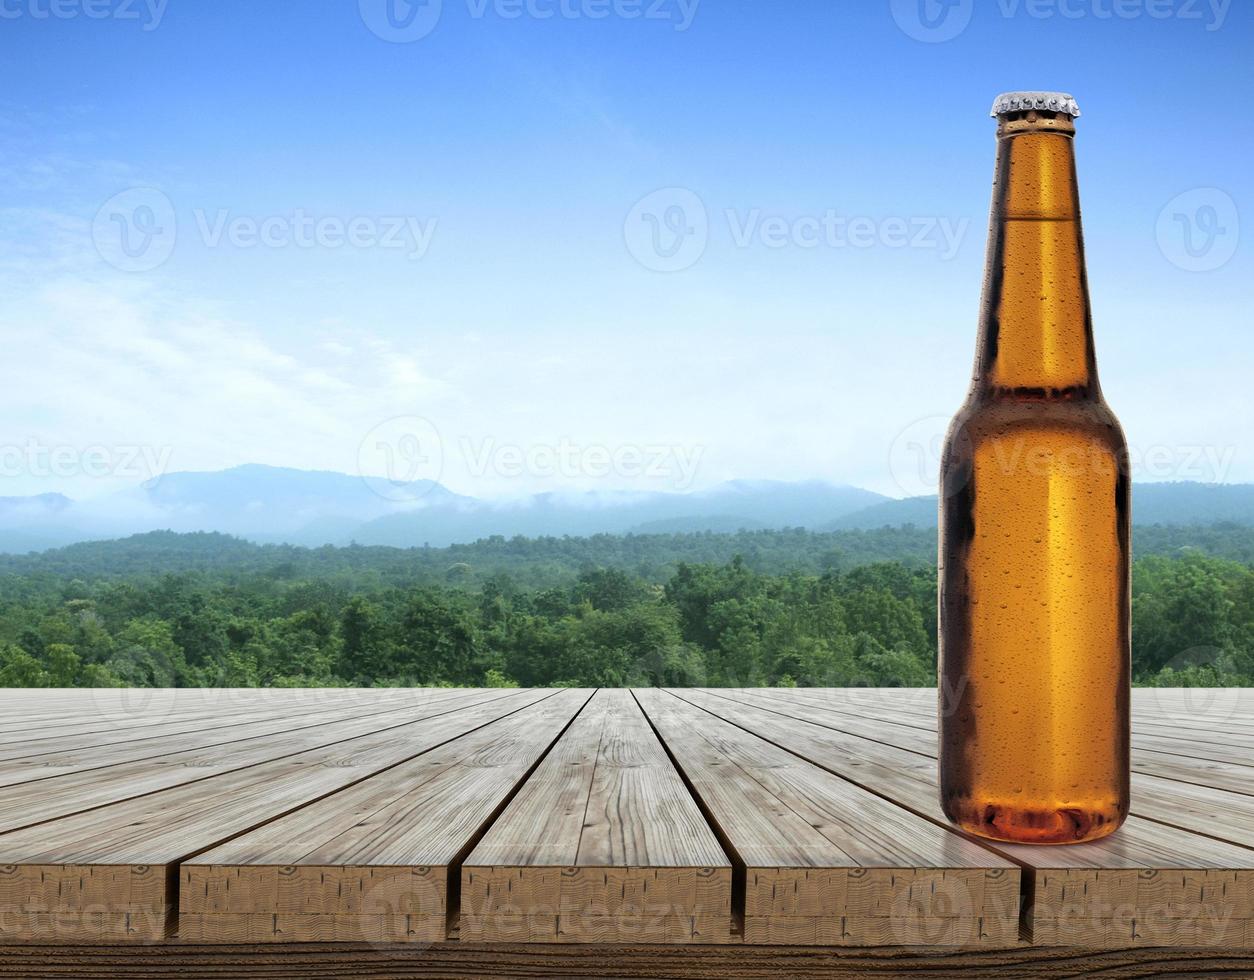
point(763, 608)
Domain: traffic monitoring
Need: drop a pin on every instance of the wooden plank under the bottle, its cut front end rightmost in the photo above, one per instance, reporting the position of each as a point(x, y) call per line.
point(1147, 885)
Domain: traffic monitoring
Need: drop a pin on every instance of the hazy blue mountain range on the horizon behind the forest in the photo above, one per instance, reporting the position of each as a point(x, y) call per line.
point(271, 505)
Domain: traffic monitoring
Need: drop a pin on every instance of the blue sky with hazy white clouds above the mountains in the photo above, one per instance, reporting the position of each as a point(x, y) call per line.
point(697, 240)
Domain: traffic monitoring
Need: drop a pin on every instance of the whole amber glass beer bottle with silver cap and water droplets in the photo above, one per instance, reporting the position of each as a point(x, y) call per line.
point(1034, 559)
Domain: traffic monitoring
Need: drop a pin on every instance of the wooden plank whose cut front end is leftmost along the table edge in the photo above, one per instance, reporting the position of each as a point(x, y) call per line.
point(111, 874)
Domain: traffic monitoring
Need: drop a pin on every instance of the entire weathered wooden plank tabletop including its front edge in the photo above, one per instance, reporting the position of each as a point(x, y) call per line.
point(470, 833)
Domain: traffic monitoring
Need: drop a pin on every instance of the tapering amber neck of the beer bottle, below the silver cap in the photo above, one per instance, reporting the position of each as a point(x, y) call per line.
point(1036, 333)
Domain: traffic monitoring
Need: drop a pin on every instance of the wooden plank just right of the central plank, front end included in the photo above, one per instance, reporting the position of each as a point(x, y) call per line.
point(826, 861)
